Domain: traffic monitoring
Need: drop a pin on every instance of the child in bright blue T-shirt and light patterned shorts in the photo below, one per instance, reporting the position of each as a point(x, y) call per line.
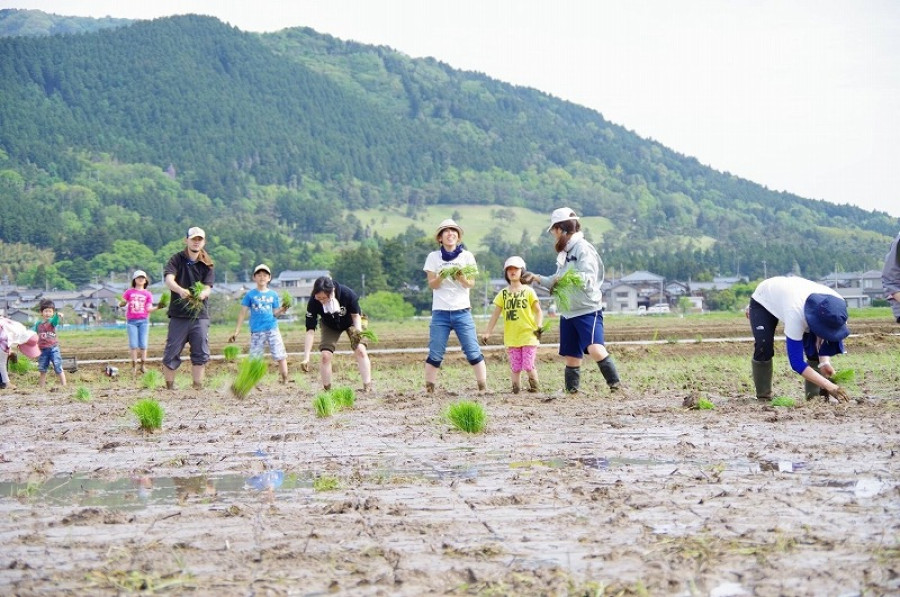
point(263, 305)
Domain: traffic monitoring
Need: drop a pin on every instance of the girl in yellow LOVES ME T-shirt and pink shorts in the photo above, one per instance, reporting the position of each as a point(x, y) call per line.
point(522, 322)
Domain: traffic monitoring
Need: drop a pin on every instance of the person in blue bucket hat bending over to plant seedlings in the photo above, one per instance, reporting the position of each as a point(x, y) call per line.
point(815, 325)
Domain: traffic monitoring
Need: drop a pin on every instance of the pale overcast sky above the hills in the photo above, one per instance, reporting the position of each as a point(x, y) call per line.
point(798, 95)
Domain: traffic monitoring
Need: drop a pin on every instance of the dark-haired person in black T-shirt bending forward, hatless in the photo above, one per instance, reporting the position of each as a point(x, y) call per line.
point(338, 308)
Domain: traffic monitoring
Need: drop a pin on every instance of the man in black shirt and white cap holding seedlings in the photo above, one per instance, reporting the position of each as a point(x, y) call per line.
point(187, 272)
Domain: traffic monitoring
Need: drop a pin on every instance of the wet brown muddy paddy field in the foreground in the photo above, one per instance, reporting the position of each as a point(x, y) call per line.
point(590, 494)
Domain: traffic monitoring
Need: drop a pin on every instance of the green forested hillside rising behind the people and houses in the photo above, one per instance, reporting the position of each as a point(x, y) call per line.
point(112, 142)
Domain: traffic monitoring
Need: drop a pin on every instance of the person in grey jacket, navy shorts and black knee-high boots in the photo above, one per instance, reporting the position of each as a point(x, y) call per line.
point(581, 322)
